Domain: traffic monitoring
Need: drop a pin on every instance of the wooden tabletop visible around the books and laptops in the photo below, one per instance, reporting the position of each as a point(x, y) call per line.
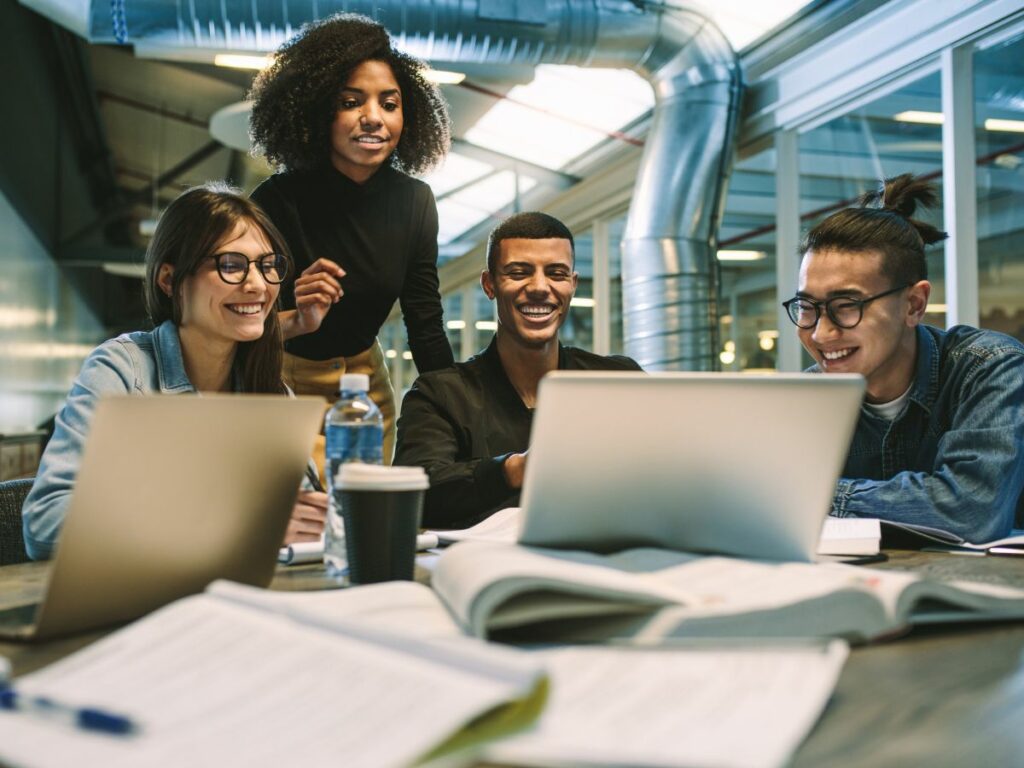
point(949, 696)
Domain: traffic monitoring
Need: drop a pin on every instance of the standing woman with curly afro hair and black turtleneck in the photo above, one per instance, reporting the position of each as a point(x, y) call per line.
point(346, 118)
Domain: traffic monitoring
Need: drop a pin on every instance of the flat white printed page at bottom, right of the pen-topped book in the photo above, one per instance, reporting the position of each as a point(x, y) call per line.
point(711, 706)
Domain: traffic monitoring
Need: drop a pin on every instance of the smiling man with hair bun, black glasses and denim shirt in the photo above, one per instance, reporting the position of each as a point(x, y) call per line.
point(941, 439)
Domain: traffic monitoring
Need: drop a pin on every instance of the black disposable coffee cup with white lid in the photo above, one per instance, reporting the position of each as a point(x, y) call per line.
point(381, 508)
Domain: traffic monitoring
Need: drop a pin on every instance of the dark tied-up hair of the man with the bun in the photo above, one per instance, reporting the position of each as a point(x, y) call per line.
point(884, 224)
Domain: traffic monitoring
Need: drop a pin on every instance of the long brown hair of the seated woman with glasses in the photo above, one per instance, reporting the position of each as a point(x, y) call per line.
point(187, 235)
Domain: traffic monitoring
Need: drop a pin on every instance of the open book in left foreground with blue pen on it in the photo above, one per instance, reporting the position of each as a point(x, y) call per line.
point(378, 676)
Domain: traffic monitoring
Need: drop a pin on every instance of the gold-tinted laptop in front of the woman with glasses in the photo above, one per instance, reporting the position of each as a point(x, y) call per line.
point(173, 493)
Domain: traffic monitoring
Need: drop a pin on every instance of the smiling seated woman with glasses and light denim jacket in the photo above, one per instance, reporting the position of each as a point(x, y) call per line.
point(214, 275)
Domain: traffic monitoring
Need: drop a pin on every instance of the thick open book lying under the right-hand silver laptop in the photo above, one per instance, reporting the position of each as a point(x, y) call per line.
point(648, 595)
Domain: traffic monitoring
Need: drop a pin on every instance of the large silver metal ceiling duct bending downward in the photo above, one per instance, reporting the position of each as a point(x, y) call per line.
point(670, 274)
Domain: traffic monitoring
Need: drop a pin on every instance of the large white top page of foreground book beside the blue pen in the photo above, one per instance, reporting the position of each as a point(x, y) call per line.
point(212, 684)
